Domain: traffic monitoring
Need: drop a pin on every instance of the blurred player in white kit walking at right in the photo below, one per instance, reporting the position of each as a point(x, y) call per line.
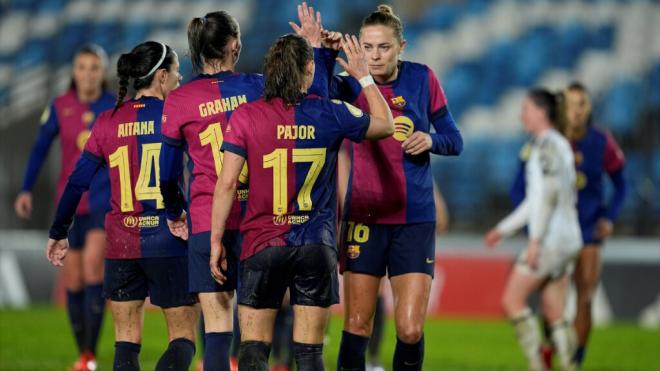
point(550, 214)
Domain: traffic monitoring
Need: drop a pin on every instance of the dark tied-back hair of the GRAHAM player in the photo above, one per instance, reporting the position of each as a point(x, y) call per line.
point(208, 37)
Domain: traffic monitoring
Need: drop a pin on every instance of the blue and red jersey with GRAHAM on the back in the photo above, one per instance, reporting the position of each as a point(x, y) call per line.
point(195, 119)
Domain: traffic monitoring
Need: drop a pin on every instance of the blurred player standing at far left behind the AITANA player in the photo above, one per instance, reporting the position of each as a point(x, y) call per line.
point(72, 115)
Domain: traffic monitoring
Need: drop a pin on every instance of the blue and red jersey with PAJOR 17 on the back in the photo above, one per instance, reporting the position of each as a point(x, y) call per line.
point(291, 152)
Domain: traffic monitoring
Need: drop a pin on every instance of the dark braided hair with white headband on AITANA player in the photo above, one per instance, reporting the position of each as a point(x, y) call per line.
point(141, 65)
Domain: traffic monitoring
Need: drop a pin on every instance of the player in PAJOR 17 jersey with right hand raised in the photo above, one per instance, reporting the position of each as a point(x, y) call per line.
point(290, 143)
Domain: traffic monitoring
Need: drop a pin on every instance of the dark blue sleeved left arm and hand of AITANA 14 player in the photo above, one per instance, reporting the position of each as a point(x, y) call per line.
point(78, 183)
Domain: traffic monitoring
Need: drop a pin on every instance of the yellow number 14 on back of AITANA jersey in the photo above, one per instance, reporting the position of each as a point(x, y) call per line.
point(149, 165)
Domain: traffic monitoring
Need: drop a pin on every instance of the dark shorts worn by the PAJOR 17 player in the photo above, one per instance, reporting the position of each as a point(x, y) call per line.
point(309, 272)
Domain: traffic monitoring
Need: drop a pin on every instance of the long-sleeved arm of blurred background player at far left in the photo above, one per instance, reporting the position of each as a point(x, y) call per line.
point(47, 133)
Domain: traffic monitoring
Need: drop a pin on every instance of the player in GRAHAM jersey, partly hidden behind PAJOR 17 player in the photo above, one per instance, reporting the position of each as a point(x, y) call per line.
point(196, 115)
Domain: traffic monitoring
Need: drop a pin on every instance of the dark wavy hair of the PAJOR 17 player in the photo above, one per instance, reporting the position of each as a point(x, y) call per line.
point(284, 68)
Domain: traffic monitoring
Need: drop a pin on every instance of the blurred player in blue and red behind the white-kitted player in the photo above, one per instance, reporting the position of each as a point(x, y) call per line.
point(596, 154)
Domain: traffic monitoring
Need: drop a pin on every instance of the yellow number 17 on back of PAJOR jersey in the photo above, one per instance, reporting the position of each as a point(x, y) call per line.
point(278, 161)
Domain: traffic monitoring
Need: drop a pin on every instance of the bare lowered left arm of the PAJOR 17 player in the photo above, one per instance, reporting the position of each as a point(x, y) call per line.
point(223, 200)
